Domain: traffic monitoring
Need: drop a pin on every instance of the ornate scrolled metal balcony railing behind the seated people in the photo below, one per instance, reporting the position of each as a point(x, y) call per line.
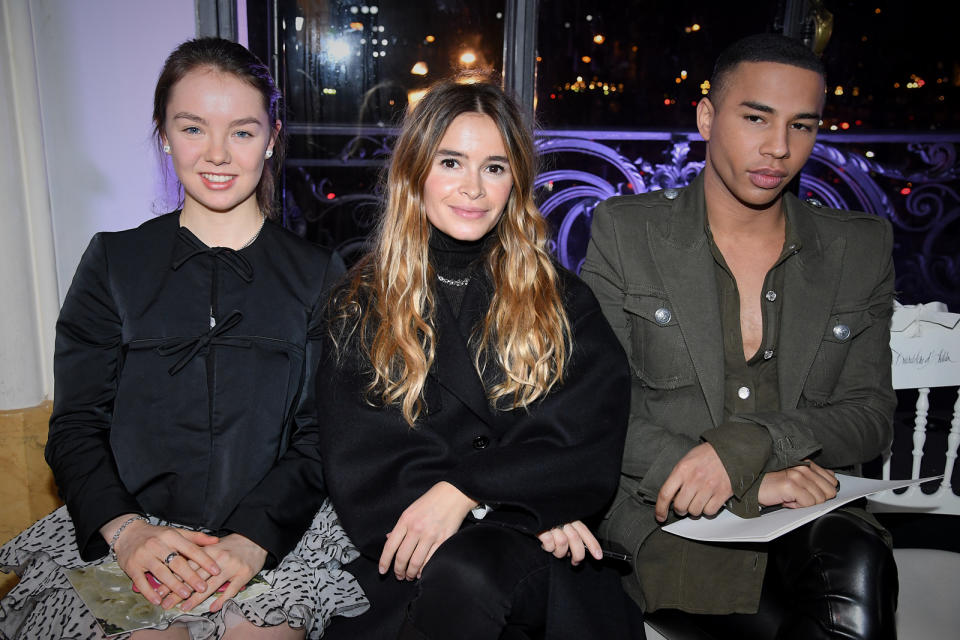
point(910, 179)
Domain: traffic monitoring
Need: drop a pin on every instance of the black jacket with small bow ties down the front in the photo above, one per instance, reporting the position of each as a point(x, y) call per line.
point(157, 412)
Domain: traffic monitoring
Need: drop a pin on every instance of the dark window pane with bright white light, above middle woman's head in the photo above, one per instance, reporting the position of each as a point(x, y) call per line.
point(355, 63)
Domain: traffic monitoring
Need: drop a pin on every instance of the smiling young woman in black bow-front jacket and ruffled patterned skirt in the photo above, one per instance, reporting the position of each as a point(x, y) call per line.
point(185, 361)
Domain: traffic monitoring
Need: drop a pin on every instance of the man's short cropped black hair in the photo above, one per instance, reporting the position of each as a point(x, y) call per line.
point(763, 47)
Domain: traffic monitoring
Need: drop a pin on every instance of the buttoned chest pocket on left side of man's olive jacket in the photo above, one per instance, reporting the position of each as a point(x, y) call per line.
point(658, 352)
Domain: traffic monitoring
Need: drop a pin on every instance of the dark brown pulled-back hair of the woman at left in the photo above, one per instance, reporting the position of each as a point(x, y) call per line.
point(224, 56)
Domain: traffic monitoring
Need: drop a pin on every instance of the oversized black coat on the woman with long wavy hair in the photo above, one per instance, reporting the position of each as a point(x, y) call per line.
point(554, 463)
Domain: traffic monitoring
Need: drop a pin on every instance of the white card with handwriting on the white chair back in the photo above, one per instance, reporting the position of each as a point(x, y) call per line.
point(925, 345)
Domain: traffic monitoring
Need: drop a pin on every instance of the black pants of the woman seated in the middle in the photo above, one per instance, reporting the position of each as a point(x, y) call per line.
point(490, 582)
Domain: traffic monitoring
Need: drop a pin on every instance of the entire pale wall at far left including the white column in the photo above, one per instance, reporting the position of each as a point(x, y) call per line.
point(76, 89)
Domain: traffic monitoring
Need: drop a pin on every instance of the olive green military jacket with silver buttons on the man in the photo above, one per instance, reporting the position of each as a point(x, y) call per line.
point(649, 264)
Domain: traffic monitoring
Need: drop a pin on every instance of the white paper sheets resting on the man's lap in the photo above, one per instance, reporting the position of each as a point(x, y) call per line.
point(727, 527)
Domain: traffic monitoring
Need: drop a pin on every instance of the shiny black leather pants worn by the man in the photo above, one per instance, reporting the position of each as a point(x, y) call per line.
point(832, 578)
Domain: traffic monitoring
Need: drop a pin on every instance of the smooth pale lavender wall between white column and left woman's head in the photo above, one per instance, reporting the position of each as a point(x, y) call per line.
point(97, 64)
